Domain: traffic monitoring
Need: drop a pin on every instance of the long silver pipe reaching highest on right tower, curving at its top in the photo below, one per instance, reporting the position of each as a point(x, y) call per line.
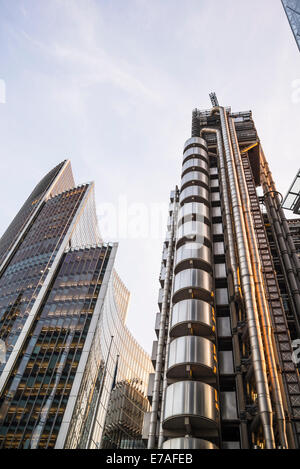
point(258, 358)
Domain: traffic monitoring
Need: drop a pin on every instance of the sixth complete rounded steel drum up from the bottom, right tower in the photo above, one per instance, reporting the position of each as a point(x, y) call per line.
point(193, 231)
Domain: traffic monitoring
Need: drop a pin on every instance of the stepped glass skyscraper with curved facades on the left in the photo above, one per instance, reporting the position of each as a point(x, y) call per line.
point(64, 343)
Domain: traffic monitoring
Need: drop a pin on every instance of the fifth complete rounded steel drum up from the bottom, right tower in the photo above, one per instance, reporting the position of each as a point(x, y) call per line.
point(193, 255)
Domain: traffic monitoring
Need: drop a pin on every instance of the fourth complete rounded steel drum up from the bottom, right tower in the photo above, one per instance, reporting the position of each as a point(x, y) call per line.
point(192, 283)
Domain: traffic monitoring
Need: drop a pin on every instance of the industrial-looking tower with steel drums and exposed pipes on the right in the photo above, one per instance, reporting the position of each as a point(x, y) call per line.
point(225, 373)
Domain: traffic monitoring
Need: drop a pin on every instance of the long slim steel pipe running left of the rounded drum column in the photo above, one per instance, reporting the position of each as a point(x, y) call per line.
point(161, 342)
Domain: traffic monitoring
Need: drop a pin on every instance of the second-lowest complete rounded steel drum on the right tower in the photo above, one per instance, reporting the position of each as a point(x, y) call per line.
point(192, 357)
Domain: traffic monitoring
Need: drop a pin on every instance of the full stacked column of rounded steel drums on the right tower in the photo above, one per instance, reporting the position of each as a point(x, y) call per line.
point(190, 396)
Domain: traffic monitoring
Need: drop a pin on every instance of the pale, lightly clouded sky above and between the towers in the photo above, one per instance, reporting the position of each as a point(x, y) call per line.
point(111, 85)
